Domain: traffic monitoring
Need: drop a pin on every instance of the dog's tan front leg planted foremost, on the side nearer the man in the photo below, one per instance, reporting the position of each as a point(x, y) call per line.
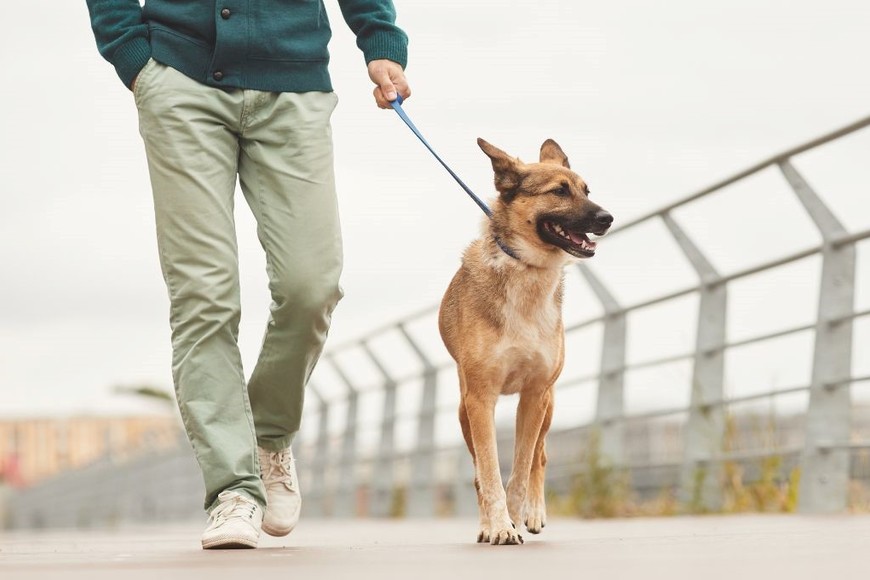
point(480, 407)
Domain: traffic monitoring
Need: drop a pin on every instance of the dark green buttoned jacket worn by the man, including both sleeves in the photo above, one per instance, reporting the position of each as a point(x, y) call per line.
point(268, 45)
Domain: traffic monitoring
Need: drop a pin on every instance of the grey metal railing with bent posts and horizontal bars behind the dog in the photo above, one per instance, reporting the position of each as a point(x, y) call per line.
point(428, 478)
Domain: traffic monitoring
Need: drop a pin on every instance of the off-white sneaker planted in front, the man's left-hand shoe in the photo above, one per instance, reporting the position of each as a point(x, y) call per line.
point(234, 523)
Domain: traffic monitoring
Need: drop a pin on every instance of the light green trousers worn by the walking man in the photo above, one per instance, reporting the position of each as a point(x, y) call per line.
point(198, 139)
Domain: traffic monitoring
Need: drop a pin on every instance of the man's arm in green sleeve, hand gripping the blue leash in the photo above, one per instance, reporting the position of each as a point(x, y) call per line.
point(384, 45)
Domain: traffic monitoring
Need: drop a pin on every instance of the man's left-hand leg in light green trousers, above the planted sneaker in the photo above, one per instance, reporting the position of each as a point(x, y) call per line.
point(190, 138)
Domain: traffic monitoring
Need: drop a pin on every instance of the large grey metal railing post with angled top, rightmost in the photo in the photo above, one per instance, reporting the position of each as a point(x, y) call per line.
point(825, 458)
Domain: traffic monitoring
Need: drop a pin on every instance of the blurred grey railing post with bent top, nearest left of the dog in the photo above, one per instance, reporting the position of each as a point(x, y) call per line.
point(422, 489)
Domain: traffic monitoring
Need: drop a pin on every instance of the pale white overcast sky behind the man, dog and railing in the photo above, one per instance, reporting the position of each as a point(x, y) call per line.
point(651, 101)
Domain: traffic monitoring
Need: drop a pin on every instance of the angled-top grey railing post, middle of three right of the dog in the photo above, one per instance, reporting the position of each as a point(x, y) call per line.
point(701, 474)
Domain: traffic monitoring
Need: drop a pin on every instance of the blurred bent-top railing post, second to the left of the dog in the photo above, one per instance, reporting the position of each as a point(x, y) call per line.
point(383, 484)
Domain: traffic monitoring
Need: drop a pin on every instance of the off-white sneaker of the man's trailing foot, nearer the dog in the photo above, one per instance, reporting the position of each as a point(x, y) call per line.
point(283, 498)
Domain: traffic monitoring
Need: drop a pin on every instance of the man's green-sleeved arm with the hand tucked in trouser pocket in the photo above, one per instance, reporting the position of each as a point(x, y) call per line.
point(122, 36)
